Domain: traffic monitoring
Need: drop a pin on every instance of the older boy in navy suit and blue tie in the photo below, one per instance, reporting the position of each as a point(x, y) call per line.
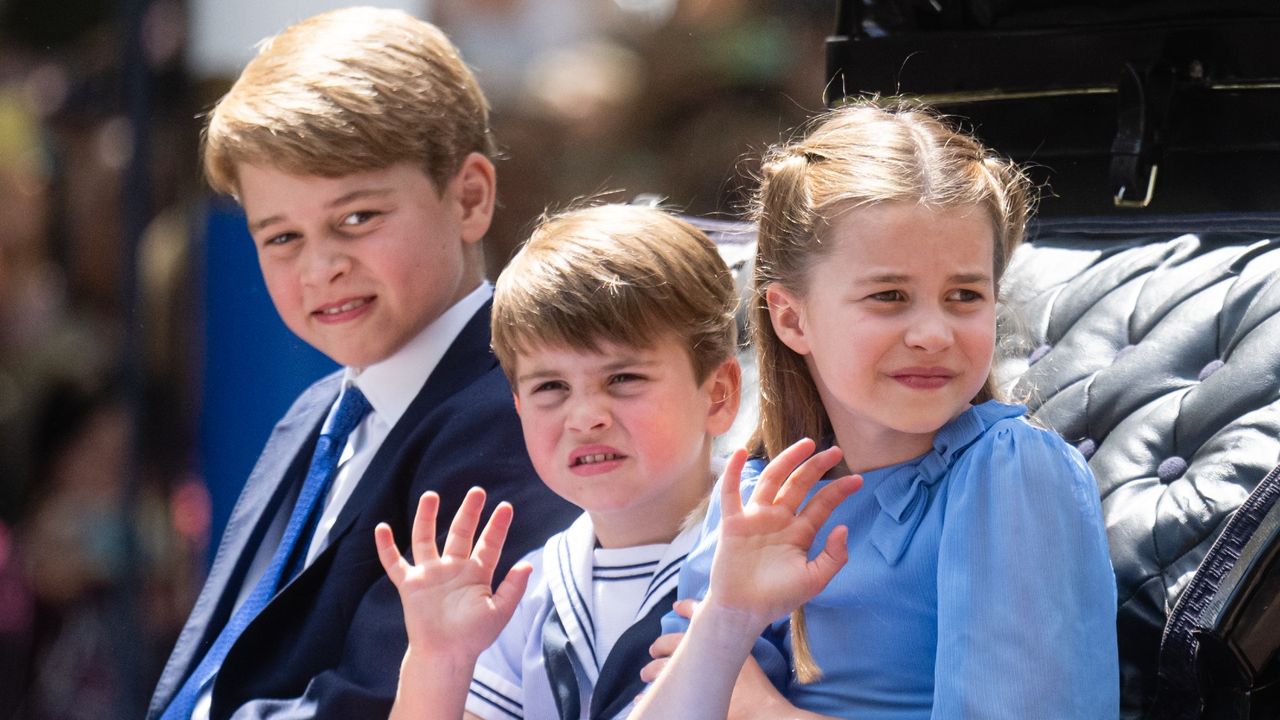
point(359, 145)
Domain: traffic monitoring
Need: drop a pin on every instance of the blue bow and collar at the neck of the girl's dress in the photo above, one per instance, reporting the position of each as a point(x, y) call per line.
point(903, 491)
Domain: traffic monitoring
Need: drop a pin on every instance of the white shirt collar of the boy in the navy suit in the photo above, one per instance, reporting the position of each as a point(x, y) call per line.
point(392, 384)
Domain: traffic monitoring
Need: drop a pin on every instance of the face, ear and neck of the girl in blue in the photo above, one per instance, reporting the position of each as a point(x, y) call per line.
point(897, 323)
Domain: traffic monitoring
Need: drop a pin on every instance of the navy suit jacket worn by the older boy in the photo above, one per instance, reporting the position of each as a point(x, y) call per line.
point(331, 642)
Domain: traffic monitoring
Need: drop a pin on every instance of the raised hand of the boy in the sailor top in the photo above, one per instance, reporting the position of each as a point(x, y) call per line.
point(450, 608)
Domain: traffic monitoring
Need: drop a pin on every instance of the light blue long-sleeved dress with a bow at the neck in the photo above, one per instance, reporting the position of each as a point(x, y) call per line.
point(979, 585)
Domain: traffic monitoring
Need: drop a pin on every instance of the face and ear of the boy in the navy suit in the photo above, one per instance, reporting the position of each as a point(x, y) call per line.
point(360, 265)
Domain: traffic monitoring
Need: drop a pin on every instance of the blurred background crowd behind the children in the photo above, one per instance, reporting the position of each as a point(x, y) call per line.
point(109, 502)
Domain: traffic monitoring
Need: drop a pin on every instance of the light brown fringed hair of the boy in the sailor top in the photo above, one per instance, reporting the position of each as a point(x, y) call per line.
point(616, 274)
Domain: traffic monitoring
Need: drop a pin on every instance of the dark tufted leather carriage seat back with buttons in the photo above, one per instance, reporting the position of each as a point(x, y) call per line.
point(1158, 354)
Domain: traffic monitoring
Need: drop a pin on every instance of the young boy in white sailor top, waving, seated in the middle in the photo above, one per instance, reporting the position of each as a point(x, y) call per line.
point(615, 326)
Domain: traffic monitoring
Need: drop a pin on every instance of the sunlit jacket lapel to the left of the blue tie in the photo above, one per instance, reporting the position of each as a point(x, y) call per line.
point(286, 454)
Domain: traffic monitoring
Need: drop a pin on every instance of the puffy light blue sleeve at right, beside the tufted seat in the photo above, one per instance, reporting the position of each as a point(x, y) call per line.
point(1026, 590)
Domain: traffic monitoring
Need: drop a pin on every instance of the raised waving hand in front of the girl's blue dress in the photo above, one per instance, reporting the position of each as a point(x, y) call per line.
point(762, 563)
